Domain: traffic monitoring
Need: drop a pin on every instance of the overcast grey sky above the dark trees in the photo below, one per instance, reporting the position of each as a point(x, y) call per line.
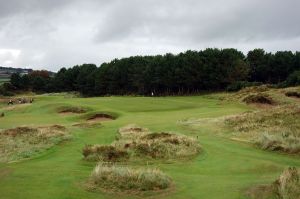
point(50, 34)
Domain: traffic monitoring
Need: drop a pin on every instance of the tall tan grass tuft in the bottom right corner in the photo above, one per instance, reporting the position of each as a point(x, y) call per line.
point(287, 186)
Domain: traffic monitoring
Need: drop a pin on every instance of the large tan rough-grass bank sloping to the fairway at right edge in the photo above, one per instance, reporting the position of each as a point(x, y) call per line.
point(276, 129)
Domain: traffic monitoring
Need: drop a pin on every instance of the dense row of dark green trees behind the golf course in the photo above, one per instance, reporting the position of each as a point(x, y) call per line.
point(185, 73)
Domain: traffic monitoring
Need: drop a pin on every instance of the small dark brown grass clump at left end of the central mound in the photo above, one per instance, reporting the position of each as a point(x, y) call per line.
point(104, 153)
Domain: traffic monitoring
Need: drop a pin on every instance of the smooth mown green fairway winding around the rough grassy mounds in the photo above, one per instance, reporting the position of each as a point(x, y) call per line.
point(224, 170)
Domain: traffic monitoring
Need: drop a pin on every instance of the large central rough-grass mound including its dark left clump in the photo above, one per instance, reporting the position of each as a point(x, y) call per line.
point(134, 141)
